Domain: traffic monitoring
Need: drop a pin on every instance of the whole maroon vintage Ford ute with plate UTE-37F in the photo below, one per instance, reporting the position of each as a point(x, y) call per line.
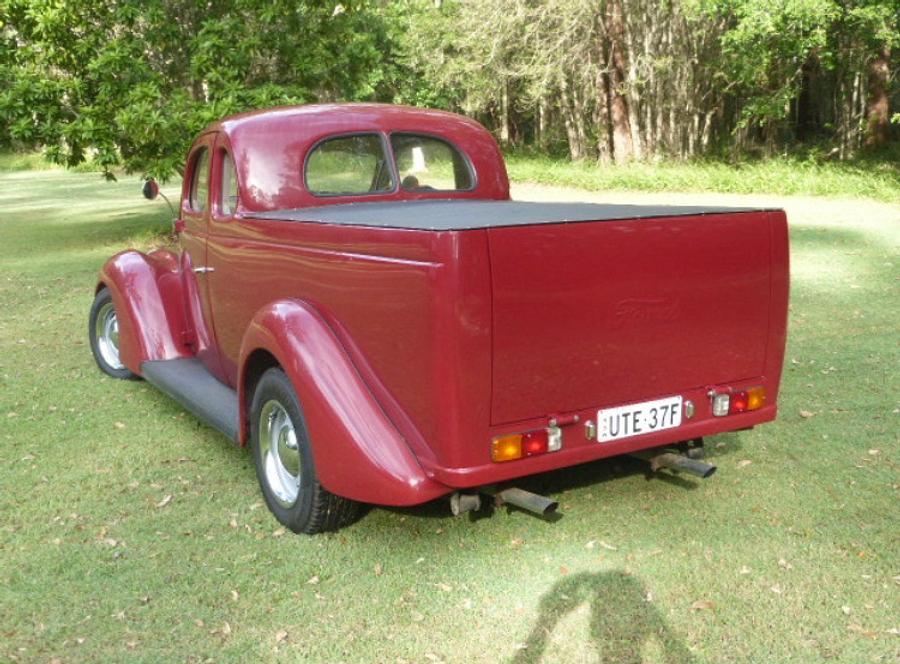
point(357, 297)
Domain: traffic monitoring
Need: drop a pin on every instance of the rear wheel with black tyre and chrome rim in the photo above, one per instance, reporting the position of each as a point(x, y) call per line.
point(298, 501)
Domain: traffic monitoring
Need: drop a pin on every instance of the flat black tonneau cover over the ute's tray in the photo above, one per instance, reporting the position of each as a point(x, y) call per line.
point(458, 215)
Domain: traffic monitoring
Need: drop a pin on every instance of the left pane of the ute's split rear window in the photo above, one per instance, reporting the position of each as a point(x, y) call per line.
point(349, 165)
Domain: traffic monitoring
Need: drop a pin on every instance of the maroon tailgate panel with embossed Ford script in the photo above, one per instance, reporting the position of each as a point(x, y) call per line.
point(609, 312)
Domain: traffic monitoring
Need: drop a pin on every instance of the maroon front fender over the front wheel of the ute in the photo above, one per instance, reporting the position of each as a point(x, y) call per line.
point(147, 291)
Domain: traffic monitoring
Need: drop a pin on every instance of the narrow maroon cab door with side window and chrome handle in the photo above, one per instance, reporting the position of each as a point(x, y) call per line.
point(195, 214)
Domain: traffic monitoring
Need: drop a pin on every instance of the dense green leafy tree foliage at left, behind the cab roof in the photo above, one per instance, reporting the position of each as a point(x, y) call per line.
point(129, 83)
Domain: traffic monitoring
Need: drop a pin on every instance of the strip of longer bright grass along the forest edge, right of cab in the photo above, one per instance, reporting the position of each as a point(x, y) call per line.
point(879, 180)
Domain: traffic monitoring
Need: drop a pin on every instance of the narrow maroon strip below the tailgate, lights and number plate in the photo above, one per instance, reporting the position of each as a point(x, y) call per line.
point(577, 448)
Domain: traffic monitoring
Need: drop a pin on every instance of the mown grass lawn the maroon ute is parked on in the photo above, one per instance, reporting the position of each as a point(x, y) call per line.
point(131, 532)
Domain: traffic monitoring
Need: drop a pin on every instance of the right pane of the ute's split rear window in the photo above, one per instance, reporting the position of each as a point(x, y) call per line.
point(425, 163)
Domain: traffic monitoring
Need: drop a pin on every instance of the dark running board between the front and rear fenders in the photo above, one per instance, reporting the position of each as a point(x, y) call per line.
point(194, 387)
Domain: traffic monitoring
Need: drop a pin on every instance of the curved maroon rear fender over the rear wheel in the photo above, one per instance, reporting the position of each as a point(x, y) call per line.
point(358, 452)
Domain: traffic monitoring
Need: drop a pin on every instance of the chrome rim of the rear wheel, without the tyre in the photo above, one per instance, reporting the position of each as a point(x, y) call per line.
point(279, 453)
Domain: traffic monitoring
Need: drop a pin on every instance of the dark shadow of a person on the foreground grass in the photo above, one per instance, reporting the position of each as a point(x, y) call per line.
point(622, 621)
